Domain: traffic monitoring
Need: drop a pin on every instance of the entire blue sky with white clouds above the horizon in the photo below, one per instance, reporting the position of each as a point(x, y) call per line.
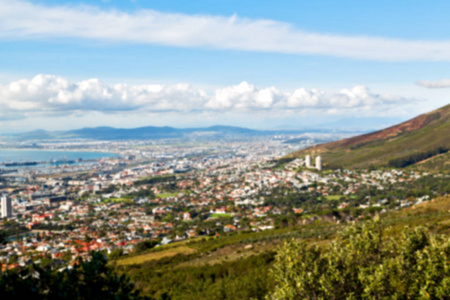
point(258, 64)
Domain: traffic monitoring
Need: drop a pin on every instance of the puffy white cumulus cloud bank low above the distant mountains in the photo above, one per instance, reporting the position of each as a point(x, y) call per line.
point(54, 95)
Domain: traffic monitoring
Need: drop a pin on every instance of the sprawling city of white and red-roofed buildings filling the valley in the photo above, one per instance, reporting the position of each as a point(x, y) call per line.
point(159, 192)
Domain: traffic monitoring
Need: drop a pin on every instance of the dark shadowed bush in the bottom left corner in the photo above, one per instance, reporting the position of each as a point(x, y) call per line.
point(87, 280)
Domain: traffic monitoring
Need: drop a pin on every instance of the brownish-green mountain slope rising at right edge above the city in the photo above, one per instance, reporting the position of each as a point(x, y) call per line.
point(415, 141)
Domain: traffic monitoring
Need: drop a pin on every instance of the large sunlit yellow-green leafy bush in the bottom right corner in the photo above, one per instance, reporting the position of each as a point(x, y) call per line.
point(362, 264)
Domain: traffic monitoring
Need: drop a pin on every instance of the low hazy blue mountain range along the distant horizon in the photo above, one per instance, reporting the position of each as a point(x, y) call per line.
point(151, 132)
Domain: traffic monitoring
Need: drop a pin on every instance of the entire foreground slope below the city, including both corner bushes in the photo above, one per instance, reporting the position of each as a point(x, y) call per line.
point(397, 255)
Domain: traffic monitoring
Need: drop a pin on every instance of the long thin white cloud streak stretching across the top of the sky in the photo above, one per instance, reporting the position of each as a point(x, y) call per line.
point(25, 20)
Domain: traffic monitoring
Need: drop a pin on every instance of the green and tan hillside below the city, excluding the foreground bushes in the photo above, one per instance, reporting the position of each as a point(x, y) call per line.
point(241, 266)
